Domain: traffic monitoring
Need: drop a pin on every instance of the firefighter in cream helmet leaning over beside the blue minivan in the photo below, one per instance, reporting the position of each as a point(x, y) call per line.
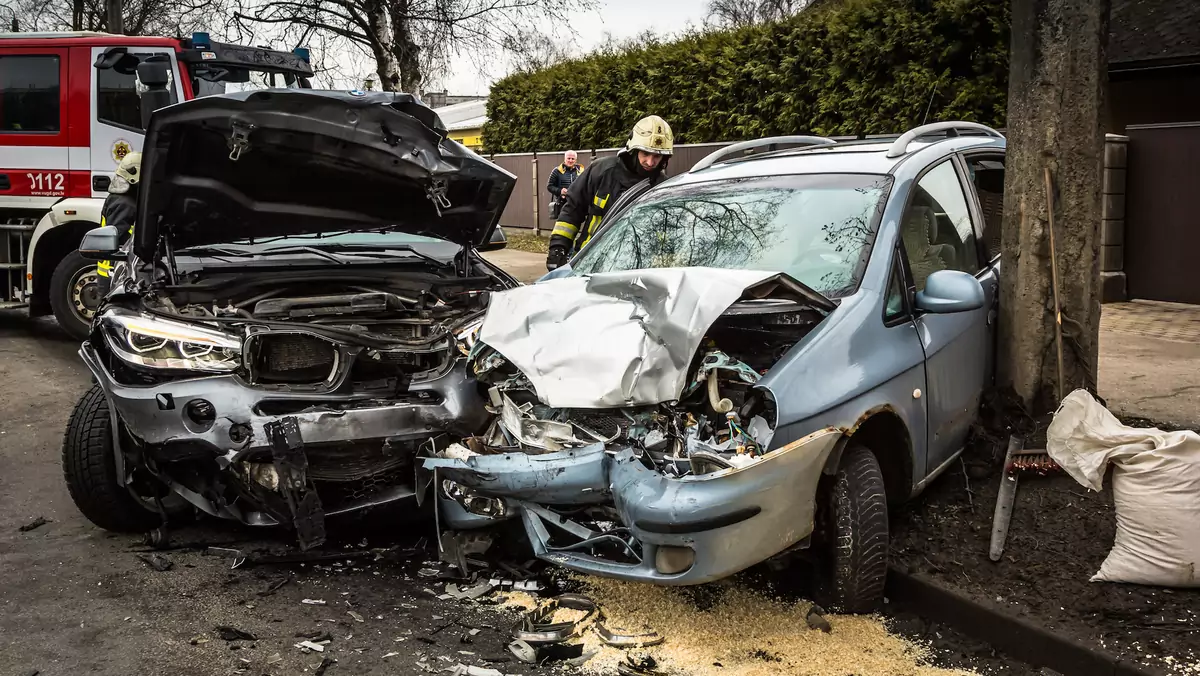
point(645, 157)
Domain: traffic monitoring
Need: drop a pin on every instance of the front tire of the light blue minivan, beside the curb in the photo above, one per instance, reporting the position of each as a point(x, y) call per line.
point(857, 543)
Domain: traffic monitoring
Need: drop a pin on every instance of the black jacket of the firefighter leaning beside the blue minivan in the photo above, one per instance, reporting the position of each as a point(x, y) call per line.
point(590, 196)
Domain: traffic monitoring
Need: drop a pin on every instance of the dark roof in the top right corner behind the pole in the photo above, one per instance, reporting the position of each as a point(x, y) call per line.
point(1154, 33)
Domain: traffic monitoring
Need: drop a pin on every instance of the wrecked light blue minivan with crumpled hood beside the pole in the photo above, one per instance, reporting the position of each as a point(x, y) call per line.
point(749, 363)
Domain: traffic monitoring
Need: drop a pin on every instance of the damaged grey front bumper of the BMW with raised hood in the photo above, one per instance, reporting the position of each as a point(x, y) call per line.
point(200, 434)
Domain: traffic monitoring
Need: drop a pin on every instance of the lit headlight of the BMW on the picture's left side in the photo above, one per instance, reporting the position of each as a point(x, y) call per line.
point(164, 344)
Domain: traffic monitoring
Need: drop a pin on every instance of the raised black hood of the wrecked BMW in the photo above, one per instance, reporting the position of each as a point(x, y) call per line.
point(284, 163)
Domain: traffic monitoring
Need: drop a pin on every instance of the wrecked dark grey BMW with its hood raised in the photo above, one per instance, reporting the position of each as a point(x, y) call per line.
point(291, 320)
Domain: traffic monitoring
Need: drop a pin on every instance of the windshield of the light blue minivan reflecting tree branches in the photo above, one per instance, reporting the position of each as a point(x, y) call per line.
point(818, 229)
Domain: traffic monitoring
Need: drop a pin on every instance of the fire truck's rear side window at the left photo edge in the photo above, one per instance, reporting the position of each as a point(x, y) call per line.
point(29, 94)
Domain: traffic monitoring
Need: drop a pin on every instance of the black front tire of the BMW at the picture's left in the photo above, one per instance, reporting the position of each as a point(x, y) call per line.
point(91, 470)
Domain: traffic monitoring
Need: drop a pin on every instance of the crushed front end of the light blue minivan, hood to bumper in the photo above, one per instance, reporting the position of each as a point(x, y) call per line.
point(634, 441)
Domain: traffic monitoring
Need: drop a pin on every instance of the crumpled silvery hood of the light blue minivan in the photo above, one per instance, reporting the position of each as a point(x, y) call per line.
point(621, 339)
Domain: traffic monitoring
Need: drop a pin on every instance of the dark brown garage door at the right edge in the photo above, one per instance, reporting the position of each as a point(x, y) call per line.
point(1162, 226)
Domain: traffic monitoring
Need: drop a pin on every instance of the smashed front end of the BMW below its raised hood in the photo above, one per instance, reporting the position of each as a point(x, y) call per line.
point(279, 405)
